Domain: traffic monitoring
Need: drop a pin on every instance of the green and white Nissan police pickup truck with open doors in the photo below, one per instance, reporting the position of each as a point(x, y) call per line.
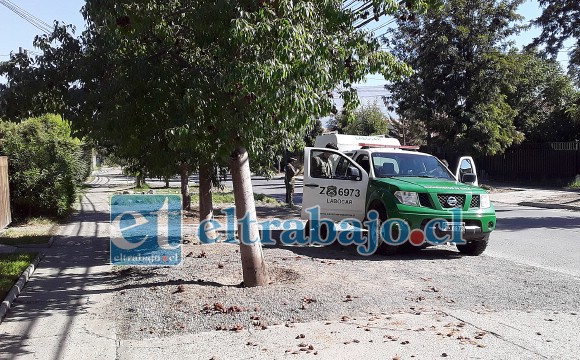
point(376, 173)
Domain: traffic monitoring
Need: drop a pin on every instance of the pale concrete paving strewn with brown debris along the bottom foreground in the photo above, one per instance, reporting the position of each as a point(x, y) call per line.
point(458, 334)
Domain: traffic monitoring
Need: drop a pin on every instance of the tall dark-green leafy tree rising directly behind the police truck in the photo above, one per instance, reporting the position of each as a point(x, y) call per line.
point(457, 89)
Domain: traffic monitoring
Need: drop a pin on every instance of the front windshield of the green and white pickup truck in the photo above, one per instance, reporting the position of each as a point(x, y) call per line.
point(405, 164)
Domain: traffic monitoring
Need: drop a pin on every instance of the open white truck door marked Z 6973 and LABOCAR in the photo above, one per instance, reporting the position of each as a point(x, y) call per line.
point(335, 183)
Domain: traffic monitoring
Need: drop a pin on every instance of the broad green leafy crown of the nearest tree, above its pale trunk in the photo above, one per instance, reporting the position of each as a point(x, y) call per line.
point(197, 79)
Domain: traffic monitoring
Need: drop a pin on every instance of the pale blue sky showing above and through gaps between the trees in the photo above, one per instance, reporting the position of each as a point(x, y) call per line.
point(16, 32)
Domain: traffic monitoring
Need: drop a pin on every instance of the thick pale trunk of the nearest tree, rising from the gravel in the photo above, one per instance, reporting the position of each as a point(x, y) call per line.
point(253, 265)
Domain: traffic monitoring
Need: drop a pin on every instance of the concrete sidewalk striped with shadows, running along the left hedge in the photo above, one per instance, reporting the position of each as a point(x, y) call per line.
point(60, 313)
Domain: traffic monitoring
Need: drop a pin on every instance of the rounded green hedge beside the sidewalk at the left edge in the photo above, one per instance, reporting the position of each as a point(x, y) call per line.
point(46, 165)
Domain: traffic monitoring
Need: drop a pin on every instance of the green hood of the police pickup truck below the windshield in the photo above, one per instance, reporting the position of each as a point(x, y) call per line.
point(429, 185)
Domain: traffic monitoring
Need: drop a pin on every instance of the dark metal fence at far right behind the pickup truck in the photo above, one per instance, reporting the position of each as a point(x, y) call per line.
point(541, 163)
